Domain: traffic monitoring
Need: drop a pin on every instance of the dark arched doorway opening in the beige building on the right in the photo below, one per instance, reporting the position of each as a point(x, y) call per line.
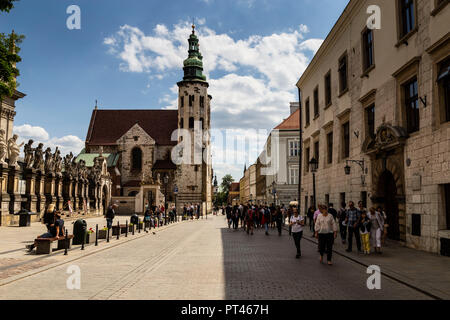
point(387, 194)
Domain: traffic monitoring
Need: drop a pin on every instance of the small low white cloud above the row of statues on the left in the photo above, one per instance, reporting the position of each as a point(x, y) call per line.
point(66, 144)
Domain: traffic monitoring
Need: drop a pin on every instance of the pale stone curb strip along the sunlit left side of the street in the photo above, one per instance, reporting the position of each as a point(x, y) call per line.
point(80, 256)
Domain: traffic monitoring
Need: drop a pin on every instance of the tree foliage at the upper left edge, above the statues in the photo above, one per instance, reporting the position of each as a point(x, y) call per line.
point(8, 56)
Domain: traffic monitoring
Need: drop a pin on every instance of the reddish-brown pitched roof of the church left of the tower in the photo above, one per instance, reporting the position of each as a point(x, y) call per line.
point(107, 126)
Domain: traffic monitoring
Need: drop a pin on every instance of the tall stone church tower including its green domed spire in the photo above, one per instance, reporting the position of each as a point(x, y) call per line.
point(194, 175)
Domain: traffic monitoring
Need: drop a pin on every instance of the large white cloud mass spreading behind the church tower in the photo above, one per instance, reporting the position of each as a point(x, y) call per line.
point(260, 72)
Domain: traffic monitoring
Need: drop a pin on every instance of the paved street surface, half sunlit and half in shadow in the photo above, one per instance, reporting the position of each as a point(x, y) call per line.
point(204, 260)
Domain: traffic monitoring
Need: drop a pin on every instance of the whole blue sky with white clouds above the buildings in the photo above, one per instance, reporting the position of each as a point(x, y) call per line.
point(129, 55)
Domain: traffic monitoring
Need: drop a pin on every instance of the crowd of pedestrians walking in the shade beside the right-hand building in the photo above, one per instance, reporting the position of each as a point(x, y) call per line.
point(367, 227)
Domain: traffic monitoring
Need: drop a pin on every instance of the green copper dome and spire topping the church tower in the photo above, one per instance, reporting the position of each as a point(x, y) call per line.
point(193, 65)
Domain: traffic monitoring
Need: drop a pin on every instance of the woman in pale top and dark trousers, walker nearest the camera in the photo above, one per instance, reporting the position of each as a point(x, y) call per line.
point(326, 231)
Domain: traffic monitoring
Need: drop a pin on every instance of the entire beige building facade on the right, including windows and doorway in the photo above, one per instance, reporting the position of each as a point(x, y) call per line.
point(377, 101)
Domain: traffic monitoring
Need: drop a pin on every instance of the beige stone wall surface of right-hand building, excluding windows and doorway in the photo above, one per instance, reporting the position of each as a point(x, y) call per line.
point(419, 162)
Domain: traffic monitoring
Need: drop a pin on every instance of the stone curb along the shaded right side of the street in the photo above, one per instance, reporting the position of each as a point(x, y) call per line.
point(393, 275)
